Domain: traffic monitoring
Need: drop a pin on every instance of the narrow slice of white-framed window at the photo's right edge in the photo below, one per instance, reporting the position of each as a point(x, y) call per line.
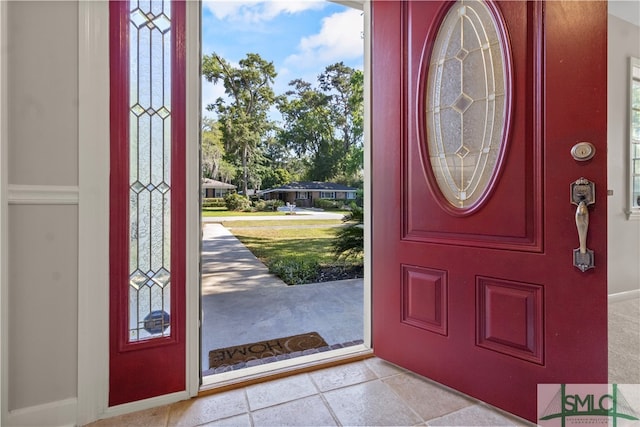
point(634, 138)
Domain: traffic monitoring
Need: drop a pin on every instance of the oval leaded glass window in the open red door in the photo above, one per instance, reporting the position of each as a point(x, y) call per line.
point(466, 98)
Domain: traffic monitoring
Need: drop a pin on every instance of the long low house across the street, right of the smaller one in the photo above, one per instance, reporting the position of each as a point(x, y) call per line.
point(304, 193)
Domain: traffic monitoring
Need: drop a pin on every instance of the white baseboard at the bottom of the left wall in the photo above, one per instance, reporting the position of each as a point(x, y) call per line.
point(54, 414)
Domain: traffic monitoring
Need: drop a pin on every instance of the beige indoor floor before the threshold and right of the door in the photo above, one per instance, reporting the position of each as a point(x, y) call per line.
point(369, 393)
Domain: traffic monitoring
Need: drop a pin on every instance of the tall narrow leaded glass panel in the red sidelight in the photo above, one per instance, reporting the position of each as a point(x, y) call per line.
point(149, 169)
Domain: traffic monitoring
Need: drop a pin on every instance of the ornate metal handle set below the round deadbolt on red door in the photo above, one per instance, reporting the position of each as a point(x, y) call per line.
point(583, 195)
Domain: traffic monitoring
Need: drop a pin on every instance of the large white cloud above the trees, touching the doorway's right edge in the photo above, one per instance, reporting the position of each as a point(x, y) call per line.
point(339, 38)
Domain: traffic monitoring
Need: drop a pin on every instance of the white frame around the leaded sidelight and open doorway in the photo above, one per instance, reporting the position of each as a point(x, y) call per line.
point(93, 287)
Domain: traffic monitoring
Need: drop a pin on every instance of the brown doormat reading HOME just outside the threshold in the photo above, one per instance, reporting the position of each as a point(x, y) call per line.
point(264, 349)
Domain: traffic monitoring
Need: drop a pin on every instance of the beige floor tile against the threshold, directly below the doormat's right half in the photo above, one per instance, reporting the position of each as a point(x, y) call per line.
point(280, 391)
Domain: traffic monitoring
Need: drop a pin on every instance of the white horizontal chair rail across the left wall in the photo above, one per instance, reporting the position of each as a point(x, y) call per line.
point(43, 195)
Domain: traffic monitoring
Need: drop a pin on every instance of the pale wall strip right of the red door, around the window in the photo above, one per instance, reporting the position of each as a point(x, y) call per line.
point(623, 234)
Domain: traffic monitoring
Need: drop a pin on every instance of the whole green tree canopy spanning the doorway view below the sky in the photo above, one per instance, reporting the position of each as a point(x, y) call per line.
point(320, 137)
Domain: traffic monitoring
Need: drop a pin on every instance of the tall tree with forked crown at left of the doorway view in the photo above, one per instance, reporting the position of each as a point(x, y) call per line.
point(244, 114)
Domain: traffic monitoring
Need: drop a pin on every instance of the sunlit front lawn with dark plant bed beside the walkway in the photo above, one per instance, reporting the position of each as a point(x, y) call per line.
point(298, 253)
